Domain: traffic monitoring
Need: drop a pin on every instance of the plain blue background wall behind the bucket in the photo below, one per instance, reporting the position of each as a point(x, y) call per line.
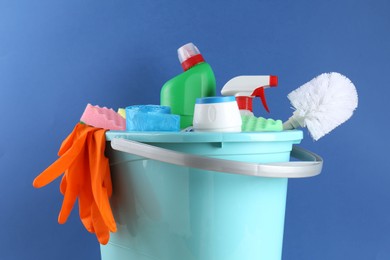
point(57, 56)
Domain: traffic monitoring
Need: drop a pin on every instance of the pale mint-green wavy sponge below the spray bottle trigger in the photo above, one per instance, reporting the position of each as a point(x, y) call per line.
point(260, 124)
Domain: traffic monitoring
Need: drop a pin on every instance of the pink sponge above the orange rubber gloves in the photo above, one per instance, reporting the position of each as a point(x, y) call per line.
point(103, 117)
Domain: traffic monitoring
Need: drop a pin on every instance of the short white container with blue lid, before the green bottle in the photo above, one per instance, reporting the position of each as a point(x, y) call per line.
point(217, 114)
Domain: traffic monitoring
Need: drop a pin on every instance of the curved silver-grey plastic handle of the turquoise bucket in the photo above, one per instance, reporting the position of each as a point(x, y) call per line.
point(310, 164)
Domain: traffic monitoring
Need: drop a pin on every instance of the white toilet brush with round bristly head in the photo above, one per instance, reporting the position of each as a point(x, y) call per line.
point(322, 104)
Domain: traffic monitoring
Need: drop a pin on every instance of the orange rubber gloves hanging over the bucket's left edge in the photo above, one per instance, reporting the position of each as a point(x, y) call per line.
point(86, 178)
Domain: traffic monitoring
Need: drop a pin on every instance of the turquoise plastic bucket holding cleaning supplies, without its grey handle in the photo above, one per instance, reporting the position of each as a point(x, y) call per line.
point(169, 212)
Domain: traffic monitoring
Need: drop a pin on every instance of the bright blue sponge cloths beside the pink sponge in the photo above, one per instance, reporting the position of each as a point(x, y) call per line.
point(151, 118)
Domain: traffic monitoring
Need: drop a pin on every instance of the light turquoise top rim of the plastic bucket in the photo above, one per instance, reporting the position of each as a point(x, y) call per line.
point(294, 136)
